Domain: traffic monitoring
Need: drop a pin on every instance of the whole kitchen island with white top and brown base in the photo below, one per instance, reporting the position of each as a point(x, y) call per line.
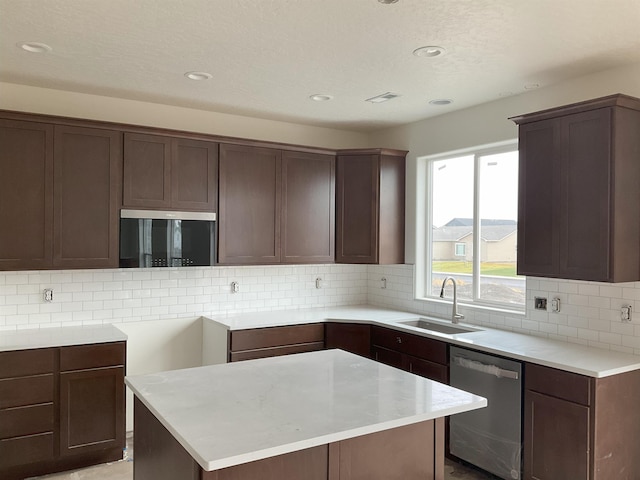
point(319, 415)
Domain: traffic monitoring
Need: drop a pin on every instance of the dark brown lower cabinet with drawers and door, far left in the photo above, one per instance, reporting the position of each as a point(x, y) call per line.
point(61, 408)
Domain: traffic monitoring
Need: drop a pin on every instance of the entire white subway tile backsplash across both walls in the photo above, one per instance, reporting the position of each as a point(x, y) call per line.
point(590, 311)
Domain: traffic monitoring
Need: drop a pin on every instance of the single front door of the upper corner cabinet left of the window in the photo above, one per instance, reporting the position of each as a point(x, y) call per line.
point(357, 217)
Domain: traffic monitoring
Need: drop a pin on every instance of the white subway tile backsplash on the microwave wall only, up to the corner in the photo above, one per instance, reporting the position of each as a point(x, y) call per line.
point(114, 296)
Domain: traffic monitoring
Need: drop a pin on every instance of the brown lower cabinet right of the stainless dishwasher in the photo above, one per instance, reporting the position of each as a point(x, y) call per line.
point(580, 427)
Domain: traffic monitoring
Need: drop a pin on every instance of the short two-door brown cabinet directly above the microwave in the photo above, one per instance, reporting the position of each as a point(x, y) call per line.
point(170, 173)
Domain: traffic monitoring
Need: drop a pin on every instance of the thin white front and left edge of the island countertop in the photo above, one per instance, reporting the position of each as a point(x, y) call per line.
point(302, 444)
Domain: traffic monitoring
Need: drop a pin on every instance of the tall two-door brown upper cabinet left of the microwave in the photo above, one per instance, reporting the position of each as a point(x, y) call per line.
point(59, 193)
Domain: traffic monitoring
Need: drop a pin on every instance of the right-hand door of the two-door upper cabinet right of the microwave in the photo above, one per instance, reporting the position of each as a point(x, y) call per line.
point(308, 208)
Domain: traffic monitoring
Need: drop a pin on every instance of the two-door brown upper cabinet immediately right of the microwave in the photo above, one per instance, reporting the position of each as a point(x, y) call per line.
point(275, 206)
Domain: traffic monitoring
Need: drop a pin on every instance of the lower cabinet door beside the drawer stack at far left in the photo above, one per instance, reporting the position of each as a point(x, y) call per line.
point(91, 410)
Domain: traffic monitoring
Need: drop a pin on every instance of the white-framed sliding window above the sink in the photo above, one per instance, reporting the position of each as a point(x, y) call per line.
point(471, 214)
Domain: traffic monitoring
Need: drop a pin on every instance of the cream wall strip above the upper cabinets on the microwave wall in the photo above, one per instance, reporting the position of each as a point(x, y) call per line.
point(78, 105)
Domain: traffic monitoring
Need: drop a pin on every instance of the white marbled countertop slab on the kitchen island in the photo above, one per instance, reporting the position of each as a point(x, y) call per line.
point(235, 413)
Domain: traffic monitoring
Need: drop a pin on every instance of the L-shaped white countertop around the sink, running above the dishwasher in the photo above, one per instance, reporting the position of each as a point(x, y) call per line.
point(593, 362)
